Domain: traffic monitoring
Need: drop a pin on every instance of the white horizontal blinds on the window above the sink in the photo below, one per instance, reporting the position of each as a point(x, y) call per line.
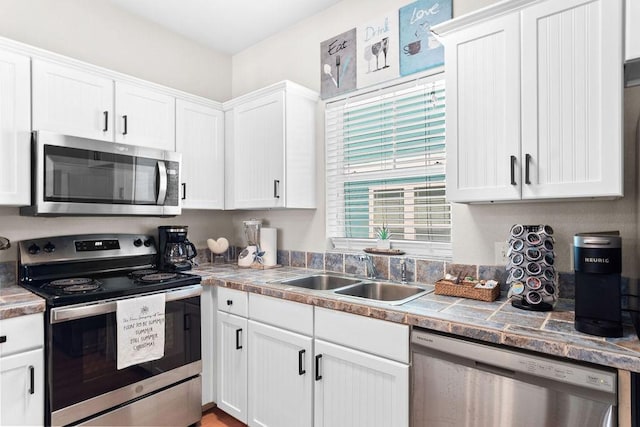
point(385, 166)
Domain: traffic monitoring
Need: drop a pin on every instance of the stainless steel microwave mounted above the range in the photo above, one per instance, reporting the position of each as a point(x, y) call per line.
point(79, 176)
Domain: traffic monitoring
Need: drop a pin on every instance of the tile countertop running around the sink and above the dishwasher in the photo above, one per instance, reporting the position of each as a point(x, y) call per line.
point(495, 322)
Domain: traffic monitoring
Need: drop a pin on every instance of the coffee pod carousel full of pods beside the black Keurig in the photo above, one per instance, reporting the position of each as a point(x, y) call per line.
point(532, 278)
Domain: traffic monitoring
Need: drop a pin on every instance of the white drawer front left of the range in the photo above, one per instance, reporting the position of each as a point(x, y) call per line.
point(22, 333)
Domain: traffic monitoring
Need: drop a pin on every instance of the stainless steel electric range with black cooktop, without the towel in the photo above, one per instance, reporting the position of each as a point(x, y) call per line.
point(82, 278)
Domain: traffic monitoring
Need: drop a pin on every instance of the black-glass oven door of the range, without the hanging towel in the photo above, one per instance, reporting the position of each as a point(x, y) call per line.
point(83, 379)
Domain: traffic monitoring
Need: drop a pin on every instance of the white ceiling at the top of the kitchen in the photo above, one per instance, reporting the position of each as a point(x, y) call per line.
point(227, 26)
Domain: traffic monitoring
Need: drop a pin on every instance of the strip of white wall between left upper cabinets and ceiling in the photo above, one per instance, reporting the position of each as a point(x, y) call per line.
point(95, 31)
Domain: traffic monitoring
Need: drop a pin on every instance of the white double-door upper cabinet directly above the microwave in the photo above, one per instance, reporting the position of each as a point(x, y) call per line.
point(72, 101)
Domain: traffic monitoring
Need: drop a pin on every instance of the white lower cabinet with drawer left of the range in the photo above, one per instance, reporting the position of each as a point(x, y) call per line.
point(22, 371)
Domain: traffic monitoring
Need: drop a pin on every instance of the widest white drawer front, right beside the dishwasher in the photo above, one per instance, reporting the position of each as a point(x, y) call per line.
point(379, 337)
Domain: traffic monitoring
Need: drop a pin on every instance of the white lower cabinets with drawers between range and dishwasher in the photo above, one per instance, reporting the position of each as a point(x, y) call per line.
point(300, 366)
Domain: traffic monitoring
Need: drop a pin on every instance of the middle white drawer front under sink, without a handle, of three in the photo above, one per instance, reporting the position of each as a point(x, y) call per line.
point(294, 316)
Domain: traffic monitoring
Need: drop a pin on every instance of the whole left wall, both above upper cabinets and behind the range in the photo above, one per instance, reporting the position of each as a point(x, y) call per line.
point(96, 32)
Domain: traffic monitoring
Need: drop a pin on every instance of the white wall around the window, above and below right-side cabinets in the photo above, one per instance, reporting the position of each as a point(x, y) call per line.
point(295, 54)
